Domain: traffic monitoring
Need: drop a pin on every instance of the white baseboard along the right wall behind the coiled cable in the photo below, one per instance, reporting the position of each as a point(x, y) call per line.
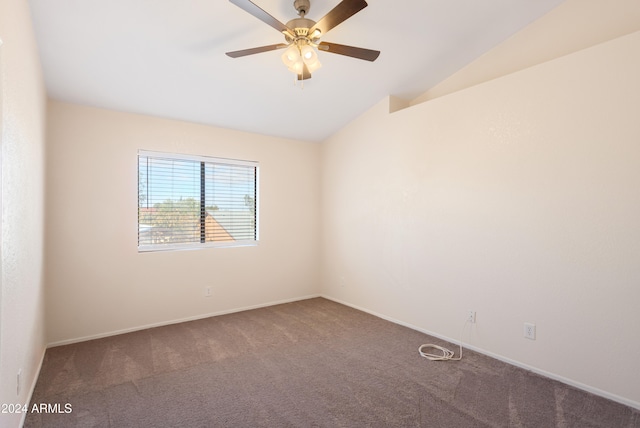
point(587, 388)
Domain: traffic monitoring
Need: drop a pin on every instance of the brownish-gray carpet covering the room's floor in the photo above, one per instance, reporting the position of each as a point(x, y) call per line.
point(313, 363)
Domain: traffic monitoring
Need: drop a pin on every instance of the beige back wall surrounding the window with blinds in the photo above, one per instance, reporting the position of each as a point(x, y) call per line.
point(97, 282)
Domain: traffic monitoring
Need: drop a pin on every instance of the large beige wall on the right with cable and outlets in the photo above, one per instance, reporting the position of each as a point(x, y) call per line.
point(517, 198)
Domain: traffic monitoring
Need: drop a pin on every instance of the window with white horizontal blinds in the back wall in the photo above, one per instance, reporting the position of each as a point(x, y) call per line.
point(194, 202)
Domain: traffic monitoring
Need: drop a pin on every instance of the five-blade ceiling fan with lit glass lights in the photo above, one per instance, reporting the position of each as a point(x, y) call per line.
point(302, 35)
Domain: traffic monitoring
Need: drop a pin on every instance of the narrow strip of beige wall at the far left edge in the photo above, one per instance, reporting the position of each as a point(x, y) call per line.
point(22, 115)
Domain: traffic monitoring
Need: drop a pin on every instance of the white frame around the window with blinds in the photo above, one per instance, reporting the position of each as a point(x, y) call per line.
point(145, 248)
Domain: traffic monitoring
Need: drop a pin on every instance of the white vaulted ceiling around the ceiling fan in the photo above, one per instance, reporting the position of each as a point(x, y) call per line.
point(166, 57)
